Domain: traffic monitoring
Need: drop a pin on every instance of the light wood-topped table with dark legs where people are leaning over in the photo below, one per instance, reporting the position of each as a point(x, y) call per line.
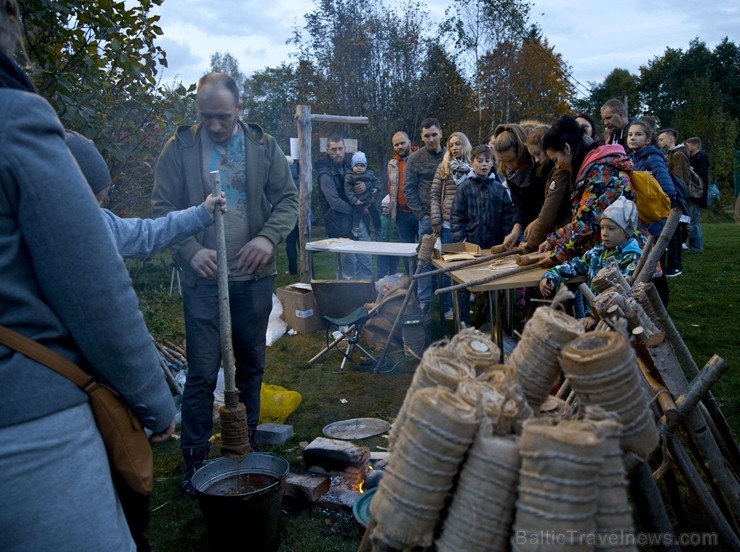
point(500, 291)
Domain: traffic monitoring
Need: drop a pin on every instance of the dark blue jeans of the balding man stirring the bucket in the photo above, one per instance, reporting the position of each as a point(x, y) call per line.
point(251, 303)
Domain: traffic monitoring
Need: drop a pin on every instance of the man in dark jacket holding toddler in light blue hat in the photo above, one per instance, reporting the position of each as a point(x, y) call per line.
point(336, 210)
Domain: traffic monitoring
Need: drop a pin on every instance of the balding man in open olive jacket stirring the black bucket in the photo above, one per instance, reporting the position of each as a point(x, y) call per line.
point(262, 205)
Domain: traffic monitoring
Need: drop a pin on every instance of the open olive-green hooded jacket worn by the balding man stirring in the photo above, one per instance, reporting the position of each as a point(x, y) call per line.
point(272, 199)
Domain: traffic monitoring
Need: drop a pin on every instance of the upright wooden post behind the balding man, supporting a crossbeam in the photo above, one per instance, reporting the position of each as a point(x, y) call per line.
point(303, 123)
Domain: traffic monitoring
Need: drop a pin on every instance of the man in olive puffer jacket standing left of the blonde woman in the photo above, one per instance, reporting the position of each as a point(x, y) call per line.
point(418, 175)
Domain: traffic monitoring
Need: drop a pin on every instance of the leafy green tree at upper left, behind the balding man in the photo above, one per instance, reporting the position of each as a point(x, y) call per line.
point(98, 65)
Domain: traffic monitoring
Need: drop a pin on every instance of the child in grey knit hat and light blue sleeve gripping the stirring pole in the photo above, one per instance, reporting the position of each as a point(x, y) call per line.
point(135, 237)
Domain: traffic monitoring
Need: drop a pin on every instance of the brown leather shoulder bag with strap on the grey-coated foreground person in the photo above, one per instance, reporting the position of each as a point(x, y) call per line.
point(128, 448)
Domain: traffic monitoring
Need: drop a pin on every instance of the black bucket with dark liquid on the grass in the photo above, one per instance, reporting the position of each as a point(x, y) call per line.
point(241, 501)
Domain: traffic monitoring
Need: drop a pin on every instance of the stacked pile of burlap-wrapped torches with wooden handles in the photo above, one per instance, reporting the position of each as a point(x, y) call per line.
point(483, 457)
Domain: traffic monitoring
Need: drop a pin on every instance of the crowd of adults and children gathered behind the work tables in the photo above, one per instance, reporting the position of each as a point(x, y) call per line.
point(545, 190)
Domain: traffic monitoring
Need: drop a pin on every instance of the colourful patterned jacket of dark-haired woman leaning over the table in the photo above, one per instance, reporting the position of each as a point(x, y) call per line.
point(602, 177)
